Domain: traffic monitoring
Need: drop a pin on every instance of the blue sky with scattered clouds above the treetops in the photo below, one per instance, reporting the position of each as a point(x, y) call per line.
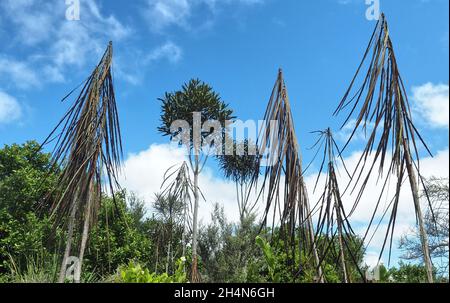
point(236, 46)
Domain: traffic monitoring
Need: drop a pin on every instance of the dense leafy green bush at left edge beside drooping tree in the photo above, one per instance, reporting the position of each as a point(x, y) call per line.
point(25, 178)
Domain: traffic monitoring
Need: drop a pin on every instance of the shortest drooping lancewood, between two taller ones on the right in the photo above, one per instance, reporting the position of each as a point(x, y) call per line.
point(332, 220)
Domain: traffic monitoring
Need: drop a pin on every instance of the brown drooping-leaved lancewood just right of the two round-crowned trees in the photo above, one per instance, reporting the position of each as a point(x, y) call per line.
point(281, 182)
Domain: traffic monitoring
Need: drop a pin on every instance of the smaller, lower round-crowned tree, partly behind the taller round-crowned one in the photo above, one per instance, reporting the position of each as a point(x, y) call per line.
point(239, 165)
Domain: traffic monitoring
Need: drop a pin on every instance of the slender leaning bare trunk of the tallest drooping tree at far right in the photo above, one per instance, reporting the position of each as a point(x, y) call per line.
point(422, 230)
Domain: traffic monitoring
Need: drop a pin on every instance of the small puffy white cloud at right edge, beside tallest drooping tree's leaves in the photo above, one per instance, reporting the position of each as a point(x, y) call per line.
point(432, 104)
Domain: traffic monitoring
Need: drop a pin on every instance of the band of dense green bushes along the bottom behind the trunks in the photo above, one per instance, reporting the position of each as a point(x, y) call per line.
point(128, 245)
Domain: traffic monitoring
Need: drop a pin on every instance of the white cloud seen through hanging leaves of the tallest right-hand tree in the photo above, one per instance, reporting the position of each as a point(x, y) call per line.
point(430, 167)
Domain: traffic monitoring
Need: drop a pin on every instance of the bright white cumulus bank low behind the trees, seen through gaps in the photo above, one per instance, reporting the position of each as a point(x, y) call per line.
point(143, 173)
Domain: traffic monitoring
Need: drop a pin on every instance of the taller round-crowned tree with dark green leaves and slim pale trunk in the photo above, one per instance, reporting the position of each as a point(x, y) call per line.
point(188, 117)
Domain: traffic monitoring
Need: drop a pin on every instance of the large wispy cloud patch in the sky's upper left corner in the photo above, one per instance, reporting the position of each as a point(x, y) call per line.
point(39, 25)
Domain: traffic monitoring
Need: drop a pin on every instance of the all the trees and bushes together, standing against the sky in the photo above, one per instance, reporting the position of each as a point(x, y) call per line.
point(53, 206)
